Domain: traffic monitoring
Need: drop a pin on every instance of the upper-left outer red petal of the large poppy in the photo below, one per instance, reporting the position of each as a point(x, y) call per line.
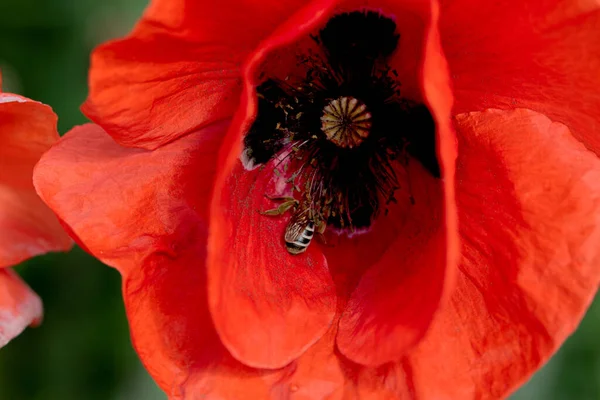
point(178, 71)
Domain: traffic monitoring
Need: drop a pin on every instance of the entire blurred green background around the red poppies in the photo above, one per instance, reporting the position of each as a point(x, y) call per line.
point(82, 351)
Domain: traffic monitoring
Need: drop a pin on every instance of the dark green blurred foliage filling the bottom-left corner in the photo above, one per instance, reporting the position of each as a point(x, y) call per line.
point(82, 350)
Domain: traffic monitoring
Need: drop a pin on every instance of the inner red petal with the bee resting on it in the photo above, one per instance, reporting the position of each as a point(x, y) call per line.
point(268, 305)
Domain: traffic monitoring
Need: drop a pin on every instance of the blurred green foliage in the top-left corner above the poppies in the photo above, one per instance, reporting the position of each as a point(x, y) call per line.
point(45, 47)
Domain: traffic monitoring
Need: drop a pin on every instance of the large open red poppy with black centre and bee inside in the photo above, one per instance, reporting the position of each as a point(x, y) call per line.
point(228, 135)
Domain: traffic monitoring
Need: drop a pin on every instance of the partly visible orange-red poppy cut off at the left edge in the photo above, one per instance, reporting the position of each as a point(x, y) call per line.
point(29, 228)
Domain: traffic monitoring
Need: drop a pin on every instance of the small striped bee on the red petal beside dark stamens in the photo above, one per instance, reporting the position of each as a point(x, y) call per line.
point(302, 226)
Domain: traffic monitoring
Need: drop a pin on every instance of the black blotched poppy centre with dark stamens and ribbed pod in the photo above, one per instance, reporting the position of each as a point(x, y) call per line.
point(341, 131)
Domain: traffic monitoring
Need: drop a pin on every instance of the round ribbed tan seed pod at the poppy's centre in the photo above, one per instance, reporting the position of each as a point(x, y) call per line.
point(346, 121)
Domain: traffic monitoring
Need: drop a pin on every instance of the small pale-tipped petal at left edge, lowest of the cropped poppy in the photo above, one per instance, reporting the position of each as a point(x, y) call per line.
point(19, 306)
